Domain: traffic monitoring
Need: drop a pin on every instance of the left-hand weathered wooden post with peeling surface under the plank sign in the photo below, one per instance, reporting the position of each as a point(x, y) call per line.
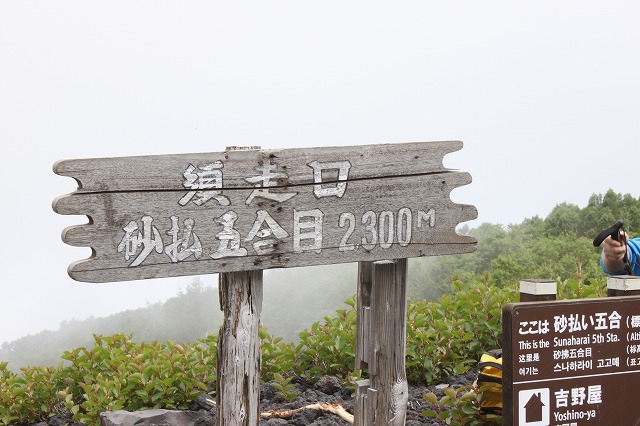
point(239, 357)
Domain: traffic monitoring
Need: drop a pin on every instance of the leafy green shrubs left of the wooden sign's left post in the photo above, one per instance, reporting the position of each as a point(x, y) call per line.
point(115, 374)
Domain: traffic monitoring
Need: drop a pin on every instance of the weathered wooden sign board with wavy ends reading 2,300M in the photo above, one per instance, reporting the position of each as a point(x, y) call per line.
point(250, 209)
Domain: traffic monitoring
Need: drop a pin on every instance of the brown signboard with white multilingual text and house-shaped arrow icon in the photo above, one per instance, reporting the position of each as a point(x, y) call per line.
point(572, 363)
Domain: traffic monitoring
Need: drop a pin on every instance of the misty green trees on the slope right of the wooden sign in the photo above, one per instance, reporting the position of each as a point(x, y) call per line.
point(520, 251)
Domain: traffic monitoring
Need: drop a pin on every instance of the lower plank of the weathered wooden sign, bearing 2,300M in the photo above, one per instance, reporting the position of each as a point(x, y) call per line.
point(144, 235)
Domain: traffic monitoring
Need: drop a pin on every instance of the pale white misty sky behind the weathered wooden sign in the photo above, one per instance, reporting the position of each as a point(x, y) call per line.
point(545, 96)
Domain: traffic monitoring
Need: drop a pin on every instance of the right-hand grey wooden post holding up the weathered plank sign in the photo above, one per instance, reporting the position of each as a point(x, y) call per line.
point(382, 400)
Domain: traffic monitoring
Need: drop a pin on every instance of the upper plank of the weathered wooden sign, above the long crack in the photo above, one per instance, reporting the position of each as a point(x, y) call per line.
point(233, 167)
